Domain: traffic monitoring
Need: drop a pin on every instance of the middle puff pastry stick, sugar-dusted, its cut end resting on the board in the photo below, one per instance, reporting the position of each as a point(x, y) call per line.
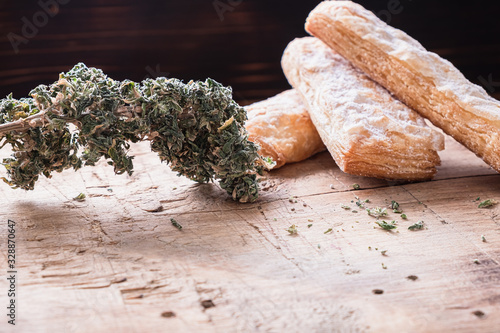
point(366, 130)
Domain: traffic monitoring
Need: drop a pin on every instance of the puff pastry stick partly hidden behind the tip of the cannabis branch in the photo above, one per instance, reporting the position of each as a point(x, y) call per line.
point(281, 126)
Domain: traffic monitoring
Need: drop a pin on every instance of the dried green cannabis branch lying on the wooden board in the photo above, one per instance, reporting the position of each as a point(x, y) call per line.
point(196, 127)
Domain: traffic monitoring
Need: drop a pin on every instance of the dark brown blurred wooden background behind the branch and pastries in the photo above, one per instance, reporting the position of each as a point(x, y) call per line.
point(237, 42)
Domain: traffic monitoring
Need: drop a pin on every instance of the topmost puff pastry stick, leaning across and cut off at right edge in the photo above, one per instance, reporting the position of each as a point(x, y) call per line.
point(424, 81)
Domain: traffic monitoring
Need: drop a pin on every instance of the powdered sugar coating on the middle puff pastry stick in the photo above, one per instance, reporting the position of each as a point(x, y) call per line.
point(367, 111)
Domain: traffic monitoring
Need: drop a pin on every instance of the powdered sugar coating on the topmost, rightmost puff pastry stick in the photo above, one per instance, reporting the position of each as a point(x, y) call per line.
point(447, 79)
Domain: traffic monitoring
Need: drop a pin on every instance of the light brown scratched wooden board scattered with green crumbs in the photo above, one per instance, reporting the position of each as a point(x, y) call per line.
point(115, 263)
